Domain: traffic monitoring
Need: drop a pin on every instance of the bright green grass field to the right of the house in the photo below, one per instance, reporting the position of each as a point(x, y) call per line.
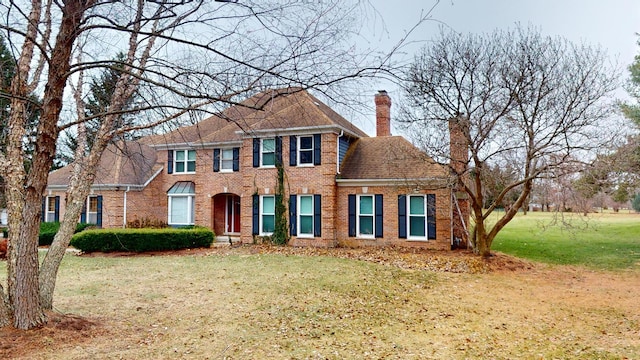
point(598, 241)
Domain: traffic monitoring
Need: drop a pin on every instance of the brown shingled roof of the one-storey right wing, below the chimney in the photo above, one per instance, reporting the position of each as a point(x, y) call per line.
point(389, 158)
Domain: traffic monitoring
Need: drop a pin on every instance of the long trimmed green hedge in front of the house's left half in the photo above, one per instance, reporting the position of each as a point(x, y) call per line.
point(141, 240)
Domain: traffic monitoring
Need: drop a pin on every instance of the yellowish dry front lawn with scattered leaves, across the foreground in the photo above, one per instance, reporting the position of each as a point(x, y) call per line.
point(245, 304)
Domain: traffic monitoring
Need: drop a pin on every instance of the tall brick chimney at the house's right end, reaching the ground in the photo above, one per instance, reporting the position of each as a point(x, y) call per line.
point(459, 159)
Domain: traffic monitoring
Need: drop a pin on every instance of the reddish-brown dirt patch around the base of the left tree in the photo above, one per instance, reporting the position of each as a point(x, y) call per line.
point(60, 329)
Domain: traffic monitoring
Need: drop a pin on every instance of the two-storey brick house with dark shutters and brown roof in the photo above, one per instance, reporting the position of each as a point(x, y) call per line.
point(341, 186)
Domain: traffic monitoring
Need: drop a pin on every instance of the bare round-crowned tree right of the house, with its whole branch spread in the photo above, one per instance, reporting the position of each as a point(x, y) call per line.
point(530, 102)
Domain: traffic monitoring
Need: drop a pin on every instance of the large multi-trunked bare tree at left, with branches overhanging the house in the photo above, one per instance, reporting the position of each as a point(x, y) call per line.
point(182, 59)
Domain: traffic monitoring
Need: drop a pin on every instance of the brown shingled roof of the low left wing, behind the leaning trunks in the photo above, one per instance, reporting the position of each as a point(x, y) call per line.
point(127, 163)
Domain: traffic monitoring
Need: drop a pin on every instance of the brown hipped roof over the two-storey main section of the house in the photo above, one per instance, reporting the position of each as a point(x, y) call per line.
point(276, 110)
